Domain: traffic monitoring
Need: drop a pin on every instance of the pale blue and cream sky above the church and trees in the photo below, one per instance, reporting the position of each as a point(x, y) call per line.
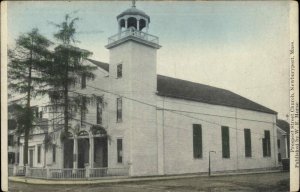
point(240, 46)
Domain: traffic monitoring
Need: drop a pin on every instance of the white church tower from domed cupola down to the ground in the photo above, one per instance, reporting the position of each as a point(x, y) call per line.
point(132, 73)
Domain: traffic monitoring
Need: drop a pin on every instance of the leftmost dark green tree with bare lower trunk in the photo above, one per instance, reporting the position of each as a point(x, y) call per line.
point(26, 64)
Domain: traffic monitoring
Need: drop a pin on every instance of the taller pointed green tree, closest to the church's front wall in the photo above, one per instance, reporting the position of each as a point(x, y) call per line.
point(68, 71)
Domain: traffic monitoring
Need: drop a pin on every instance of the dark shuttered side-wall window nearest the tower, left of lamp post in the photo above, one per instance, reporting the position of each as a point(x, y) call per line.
point(197, 141)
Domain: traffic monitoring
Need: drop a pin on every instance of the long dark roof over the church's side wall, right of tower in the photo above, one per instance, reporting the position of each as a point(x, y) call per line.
point(182, 89)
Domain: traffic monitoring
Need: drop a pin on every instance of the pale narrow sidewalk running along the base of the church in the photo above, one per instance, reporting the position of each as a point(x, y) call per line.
point(109, 180)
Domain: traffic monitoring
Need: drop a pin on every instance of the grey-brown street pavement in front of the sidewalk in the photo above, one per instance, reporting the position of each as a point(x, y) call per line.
point(273, 182)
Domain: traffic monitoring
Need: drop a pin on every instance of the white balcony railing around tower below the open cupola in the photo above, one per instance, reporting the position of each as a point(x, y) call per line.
point(134, 33)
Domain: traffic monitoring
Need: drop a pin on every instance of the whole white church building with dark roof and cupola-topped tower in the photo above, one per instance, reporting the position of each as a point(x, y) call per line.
point(150, 124)
